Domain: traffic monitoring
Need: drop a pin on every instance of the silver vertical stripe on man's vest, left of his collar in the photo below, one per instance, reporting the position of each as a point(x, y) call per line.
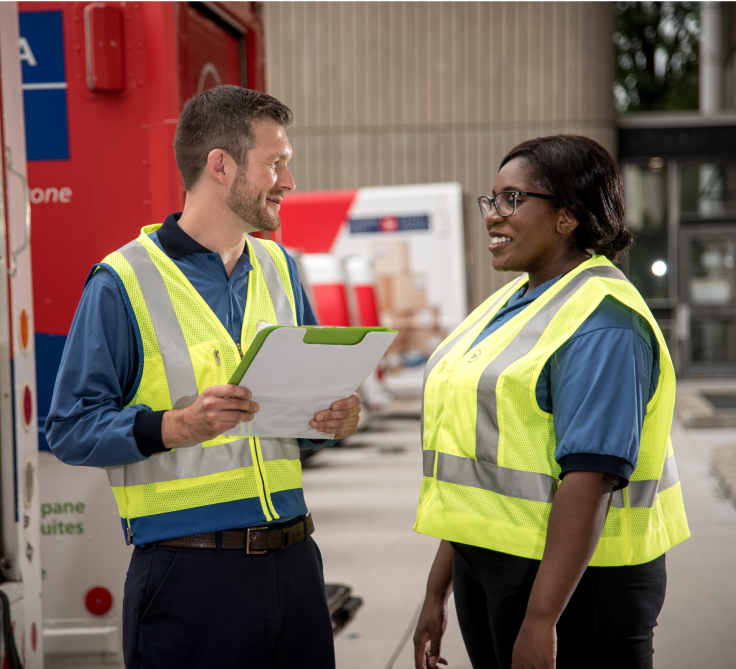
point(171, 342)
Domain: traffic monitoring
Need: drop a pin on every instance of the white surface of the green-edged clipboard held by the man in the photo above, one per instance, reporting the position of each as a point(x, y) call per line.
point(292, 381)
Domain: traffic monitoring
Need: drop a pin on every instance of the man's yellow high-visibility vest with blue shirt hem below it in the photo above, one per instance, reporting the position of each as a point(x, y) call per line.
point(183, 348)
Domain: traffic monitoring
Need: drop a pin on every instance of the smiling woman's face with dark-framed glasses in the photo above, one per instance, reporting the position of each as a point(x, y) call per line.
point(535, 235)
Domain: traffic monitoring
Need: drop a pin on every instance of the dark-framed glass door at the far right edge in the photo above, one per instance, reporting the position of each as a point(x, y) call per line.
point(708, 286)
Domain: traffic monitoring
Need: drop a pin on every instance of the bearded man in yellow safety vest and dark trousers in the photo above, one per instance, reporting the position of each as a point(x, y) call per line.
point(224, 572)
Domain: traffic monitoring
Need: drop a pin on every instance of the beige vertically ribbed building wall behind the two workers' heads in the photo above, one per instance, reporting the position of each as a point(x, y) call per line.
point(420, 92)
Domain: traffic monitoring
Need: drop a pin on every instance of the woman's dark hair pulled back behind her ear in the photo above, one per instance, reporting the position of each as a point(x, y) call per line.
point(585, 179)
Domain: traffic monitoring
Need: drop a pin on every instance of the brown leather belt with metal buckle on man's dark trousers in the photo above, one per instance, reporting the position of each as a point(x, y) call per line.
point(254, 540)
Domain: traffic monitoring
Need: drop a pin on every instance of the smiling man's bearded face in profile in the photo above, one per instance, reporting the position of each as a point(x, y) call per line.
point(259, 185)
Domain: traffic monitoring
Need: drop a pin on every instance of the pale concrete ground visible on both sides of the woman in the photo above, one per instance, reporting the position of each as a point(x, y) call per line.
point(364, 496)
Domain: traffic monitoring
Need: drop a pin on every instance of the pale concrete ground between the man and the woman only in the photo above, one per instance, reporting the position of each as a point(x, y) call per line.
point(363, 497)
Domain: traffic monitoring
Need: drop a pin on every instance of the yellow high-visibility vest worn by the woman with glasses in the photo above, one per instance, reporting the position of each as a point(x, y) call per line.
point(489, 470)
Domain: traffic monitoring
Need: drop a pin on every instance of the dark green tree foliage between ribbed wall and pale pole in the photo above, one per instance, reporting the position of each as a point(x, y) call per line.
point(656, 55)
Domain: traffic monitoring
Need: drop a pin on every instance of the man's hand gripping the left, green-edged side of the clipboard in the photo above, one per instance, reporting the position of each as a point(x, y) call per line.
point(217, 410)
